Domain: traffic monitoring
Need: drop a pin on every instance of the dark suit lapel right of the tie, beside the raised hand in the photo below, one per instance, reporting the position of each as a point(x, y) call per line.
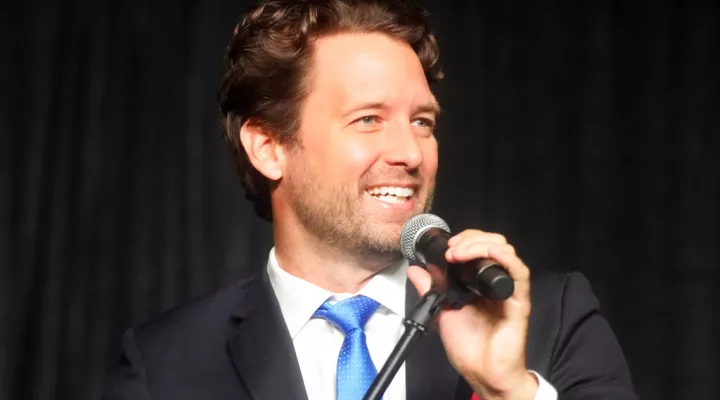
point(429, 374)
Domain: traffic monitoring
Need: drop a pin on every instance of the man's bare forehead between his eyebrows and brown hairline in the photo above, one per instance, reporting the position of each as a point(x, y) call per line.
point(367, 67)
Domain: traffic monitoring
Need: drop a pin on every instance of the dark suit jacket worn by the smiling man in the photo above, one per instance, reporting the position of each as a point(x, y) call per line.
point(234, 345)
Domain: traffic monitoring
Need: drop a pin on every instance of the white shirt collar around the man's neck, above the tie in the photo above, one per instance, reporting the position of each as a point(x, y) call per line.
point(299, 299)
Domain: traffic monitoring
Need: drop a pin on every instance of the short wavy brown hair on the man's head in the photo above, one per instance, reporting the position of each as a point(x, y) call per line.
point(270, 54)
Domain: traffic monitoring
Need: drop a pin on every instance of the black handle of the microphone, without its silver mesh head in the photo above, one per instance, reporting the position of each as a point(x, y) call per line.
point(484, 277)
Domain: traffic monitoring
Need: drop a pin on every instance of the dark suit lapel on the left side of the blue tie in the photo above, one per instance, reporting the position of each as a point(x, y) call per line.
point(262, 351)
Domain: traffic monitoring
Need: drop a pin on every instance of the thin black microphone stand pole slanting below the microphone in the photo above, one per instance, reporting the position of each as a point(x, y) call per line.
point(416, 323)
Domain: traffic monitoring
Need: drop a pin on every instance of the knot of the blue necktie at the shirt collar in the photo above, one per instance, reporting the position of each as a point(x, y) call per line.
point(350, 314)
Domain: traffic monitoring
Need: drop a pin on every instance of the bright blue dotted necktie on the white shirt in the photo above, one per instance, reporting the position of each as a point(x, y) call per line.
point(355, 370)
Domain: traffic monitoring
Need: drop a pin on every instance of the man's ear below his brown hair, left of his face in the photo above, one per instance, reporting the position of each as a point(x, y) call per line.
point(263, 149)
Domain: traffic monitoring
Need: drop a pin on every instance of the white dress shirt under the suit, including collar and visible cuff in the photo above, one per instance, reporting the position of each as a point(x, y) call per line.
point(317, 343)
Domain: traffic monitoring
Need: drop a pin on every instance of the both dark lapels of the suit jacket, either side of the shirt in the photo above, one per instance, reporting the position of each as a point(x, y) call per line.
point(264, 357)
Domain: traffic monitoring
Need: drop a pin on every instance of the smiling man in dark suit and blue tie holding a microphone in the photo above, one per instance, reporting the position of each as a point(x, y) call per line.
point(331, 118)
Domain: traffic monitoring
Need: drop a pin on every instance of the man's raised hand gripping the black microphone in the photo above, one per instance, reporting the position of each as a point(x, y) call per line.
point(485, 340)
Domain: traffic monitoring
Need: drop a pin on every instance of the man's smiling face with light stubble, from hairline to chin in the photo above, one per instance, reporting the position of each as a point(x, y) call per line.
point(367, 157)
